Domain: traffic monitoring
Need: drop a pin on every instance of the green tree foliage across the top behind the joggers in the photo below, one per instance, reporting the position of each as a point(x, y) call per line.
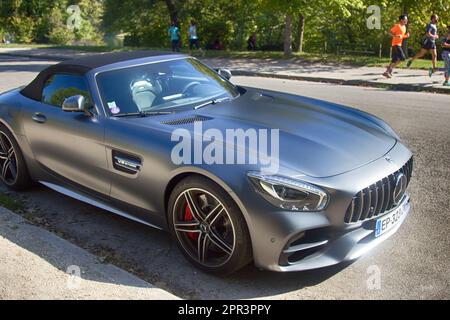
point(278, 24)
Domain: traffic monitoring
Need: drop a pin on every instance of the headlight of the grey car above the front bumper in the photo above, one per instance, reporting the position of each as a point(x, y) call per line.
point(289, 194)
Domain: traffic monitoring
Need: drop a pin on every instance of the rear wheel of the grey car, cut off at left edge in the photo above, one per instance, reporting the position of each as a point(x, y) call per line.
point(22, 179)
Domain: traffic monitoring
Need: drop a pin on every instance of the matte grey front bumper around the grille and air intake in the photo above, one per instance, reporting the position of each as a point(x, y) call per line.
point(294, 241)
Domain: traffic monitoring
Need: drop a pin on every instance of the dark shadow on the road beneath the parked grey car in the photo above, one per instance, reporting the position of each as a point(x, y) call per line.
point(150, 253)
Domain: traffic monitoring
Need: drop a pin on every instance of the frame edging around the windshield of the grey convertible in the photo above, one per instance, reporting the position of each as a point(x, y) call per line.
point(231, 92)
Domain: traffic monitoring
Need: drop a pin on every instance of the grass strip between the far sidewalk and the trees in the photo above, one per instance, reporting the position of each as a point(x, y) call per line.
point(354, 60)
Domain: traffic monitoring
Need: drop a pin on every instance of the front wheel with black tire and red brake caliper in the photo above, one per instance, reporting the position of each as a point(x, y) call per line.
point(218, 260)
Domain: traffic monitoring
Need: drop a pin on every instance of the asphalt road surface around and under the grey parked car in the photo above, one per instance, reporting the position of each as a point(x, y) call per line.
point(413, 264)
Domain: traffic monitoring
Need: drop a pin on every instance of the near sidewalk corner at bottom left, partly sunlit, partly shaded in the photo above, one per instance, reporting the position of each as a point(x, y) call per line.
point(33, 265)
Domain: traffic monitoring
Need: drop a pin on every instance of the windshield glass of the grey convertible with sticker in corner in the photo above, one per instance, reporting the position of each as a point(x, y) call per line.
point(163, 86)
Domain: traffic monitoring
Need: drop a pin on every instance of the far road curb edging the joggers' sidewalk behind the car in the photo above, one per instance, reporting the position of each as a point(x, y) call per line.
point(238, 72)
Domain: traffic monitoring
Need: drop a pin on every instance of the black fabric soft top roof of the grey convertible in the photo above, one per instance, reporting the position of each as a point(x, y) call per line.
point(81, 66)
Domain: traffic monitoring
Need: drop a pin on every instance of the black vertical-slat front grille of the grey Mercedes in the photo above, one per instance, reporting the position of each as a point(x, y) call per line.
point(378, 198)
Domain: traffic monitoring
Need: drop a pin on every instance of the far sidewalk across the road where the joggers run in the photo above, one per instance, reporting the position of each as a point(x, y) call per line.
point(404, 79)
